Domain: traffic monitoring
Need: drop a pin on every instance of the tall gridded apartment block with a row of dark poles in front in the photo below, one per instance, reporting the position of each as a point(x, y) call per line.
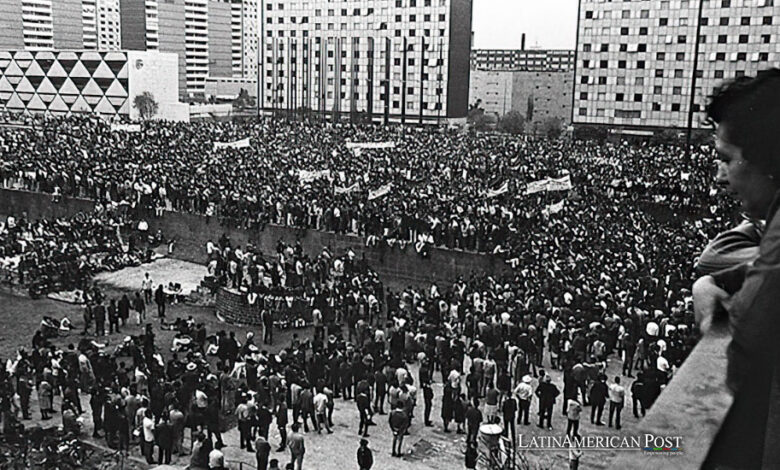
point(404, 60)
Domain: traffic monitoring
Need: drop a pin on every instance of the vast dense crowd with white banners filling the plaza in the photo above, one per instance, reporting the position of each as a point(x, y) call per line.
point(601, 268)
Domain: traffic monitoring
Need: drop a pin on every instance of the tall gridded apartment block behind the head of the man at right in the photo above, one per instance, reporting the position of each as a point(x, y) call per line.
point(637, 61)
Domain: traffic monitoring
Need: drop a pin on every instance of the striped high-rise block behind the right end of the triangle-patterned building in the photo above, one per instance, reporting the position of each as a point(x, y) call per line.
point(202, 32)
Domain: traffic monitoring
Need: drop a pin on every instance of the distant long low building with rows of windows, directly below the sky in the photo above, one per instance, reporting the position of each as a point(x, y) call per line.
point(517, 59)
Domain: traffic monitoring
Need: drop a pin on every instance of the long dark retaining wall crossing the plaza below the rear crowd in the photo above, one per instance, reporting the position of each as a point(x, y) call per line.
point(395, 266)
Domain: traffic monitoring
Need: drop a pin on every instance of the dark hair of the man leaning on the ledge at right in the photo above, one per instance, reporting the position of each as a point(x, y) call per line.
point(750, 106)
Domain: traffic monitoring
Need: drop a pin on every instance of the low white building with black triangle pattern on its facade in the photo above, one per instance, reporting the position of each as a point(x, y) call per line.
point(101, 83)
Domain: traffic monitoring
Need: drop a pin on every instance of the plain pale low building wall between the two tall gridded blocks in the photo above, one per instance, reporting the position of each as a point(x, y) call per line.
point(537, 95)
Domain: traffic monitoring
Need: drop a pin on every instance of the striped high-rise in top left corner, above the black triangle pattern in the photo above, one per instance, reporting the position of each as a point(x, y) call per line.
point(37, 25)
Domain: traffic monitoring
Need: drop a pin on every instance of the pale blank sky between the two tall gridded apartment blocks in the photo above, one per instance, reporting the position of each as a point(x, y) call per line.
point(547, 24)
